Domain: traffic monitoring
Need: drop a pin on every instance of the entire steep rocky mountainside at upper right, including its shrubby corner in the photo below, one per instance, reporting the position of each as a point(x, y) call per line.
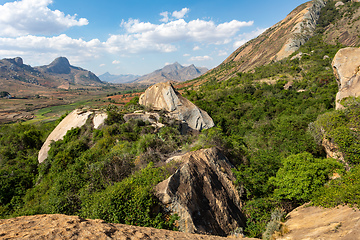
point(338, 24)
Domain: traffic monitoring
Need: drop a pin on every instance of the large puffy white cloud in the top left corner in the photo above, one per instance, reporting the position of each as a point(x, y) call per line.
point(34, 17)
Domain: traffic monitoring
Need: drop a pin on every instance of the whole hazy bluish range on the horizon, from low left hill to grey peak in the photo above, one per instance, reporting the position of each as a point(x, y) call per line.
point(171, 72)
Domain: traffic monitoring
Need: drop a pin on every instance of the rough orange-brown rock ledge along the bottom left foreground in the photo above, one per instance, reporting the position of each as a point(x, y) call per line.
point(60, 226)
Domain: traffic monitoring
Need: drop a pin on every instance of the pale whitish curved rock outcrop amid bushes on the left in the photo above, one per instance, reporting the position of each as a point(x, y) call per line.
point(76, 118)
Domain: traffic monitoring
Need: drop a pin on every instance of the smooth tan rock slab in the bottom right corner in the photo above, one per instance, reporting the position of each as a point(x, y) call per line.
point(337, 223)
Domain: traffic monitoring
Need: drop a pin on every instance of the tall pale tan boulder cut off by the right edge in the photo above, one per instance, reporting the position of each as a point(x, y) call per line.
point(346, 65)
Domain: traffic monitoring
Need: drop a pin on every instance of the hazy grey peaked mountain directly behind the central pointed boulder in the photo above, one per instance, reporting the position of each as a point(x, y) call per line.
point(172, 72)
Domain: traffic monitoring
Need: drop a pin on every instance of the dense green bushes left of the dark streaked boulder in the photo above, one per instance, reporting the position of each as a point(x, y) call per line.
point(107, 173)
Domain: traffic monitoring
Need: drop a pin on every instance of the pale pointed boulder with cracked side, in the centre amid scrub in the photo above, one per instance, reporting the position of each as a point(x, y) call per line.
point(163, 96)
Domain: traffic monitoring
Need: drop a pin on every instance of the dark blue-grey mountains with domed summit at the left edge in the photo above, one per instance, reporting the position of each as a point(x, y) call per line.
point(18, 78)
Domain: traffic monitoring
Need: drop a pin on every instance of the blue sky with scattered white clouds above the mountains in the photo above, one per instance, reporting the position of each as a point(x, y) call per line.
point(133, 36)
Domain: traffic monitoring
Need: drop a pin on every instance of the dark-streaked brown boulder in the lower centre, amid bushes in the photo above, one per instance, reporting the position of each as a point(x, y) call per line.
point(202, 193)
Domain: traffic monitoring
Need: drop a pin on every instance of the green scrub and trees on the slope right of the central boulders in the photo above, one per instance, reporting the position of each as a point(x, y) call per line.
point(265, 130)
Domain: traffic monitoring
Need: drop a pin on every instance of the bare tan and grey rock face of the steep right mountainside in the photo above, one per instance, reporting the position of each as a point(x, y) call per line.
point(276, 43)
